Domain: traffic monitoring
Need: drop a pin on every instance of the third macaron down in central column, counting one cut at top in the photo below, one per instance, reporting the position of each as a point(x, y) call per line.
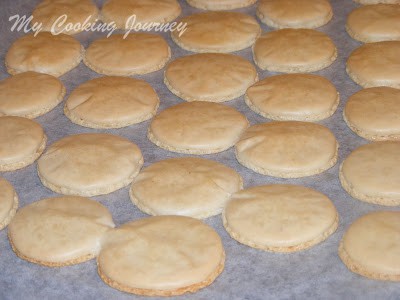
point(214, 77)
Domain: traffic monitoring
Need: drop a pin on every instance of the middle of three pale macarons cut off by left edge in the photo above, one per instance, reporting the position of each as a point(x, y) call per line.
point(22, 141)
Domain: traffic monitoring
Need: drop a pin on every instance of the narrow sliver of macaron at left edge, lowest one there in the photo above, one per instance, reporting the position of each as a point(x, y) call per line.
point(8, 202)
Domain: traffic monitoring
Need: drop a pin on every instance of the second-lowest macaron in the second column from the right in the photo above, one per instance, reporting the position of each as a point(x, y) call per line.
point(287, 149)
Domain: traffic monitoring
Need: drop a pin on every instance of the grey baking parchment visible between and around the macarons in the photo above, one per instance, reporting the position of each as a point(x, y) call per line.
point(249, 273)
